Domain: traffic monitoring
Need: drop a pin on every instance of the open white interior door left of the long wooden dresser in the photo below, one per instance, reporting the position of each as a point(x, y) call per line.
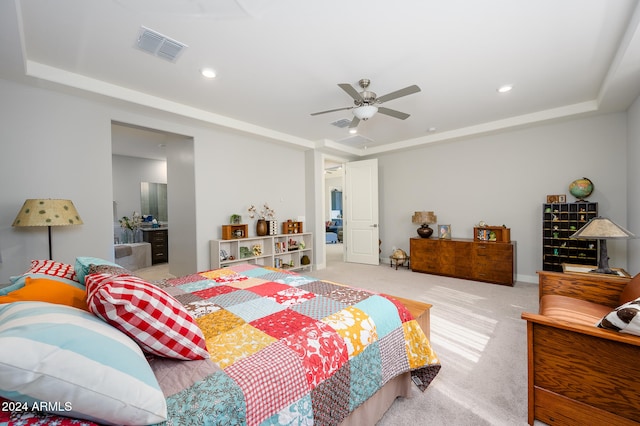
point(360, 227)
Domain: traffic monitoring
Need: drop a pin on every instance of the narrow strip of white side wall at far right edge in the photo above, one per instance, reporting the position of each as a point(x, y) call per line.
point(633, 189)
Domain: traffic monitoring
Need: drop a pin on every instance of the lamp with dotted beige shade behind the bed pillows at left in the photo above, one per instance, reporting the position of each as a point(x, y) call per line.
point(47, 212)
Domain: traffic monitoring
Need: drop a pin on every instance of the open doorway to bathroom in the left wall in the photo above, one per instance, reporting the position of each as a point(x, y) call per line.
point(143, 156)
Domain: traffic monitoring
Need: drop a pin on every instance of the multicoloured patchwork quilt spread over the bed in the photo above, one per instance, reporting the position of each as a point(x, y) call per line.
point(284, 349)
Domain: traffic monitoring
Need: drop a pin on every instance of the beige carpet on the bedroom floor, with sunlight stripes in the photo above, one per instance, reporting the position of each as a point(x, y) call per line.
point(477, 333)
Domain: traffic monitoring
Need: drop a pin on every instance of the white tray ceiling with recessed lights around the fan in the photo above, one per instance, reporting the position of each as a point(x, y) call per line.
point(278, 61)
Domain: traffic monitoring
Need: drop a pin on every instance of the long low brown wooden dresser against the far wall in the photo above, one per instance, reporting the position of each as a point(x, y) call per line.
point(487, 261)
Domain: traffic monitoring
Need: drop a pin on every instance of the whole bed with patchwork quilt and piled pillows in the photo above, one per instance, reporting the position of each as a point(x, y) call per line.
point(281, 348)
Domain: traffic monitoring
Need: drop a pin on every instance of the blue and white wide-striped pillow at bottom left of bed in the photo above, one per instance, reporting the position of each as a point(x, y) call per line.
point(59, 354)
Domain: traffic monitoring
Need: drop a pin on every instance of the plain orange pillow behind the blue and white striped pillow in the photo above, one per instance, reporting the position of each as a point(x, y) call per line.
point(46, 290)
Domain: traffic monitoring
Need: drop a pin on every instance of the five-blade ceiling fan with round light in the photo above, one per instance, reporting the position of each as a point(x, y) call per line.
point(366, 102)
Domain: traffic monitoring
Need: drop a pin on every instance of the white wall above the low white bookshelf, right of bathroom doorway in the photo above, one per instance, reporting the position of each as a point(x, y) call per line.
point(234, 171)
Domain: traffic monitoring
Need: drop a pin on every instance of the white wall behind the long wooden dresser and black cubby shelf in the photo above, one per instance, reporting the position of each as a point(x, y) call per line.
point(504, 179)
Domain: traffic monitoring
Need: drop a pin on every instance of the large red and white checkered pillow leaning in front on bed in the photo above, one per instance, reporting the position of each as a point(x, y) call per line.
point(147, 314)
